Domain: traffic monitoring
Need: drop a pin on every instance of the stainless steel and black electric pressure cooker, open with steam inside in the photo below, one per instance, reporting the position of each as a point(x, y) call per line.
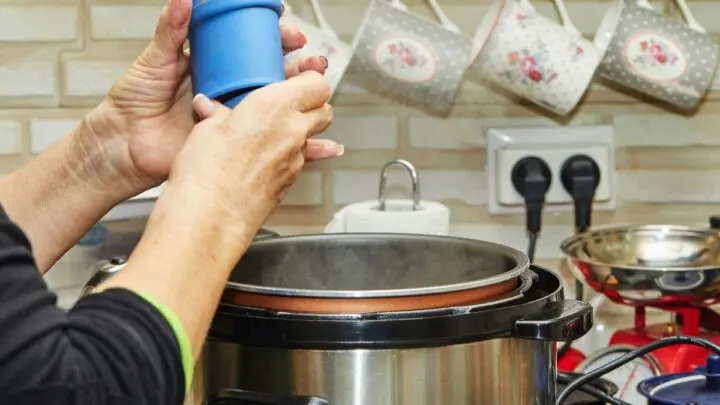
point(386, 319)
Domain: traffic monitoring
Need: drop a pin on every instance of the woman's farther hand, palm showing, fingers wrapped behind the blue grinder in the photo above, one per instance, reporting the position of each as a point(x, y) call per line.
point(148, 113)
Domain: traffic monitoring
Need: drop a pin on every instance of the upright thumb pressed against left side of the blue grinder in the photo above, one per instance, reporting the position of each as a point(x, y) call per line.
point(171, 32)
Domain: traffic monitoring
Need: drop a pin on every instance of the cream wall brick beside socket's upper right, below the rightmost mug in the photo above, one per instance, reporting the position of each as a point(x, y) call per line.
point(666, 130)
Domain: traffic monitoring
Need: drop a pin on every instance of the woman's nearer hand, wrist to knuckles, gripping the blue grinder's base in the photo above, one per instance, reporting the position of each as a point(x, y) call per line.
point(246, 158)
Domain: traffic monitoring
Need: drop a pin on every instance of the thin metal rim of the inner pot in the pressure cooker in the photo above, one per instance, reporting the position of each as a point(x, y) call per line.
point(522, 263)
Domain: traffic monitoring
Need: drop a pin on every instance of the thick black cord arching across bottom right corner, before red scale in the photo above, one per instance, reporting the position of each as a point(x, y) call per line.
point(642, 351)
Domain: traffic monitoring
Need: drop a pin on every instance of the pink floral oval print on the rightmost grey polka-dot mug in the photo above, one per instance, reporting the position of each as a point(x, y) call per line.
point(655, 57)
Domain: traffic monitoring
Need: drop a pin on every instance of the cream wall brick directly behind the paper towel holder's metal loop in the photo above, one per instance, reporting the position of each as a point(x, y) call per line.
point(466, 186)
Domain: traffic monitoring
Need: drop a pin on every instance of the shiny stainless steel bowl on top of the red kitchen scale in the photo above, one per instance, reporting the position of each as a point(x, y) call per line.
point(648, 264)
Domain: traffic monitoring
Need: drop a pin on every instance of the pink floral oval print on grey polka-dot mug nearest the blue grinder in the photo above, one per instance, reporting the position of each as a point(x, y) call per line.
point(405, 59)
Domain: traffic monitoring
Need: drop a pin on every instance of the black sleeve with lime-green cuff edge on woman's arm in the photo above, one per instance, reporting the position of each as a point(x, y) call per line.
point(111, 348)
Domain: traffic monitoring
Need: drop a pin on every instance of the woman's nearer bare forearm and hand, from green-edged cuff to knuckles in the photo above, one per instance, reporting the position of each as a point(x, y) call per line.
point(233, 170)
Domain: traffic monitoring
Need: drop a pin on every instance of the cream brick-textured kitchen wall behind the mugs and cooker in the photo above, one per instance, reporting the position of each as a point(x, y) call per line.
point(59, 57)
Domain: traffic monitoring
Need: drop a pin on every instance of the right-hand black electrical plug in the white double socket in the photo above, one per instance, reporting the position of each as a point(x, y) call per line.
point(580, 176)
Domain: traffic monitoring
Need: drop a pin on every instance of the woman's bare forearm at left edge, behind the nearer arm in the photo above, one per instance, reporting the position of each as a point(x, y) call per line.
point(63, 192)
